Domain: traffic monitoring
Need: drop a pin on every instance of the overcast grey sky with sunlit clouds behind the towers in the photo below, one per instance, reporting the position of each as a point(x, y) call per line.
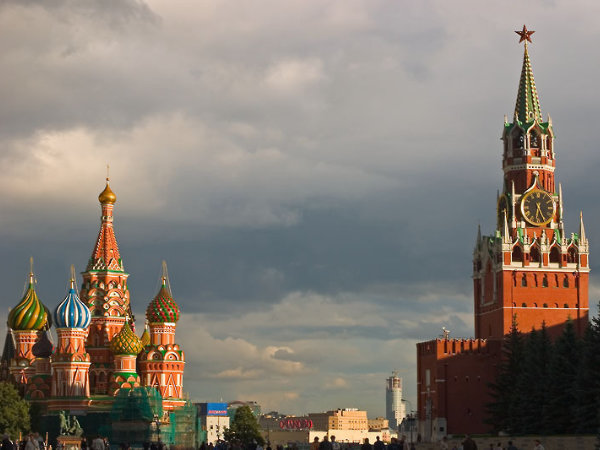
point(312, 171)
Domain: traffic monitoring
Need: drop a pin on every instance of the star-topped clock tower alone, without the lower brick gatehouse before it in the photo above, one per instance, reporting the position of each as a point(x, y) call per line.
point(529, 270)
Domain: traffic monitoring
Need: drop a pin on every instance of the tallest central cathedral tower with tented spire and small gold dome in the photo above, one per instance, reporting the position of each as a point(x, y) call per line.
point(105, 291)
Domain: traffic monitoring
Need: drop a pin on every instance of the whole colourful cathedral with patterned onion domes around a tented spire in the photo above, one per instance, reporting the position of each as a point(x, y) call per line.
point(97, 352)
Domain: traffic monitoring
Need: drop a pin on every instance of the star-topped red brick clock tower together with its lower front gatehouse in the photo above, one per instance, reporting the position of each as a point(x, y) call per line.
point(528, 271)
